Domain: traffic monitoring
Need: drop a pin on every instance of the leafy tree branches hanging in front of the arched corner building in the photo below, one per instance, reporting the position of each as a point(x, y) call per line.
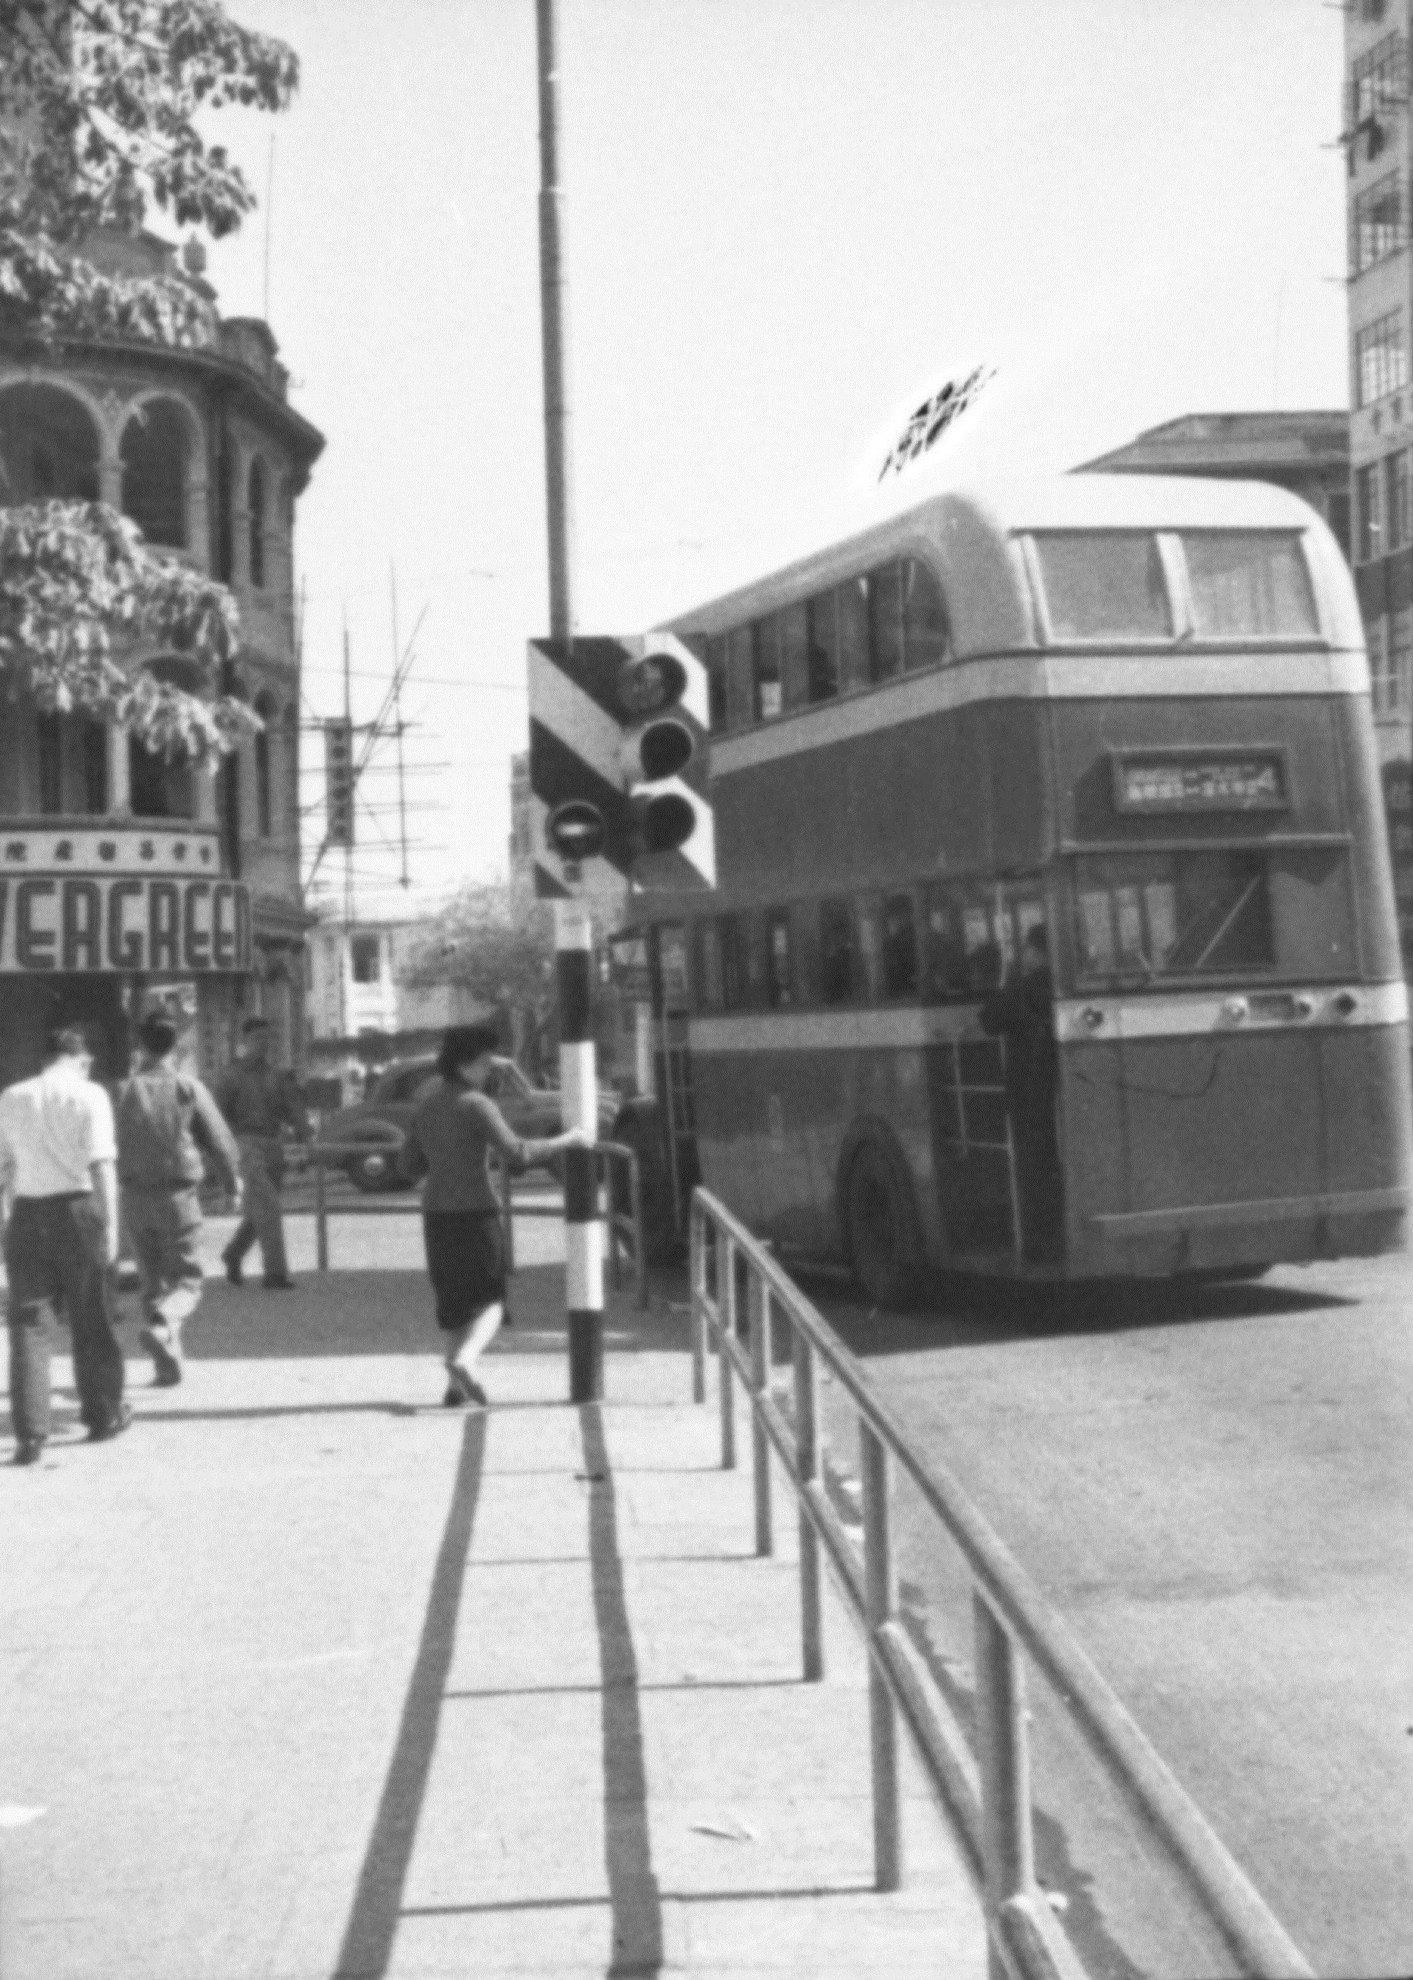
point(100, 106)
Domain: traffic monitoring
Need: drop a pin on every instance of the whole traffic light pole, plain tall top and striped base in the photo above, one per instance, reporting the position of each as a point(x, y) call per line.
point(573, 932)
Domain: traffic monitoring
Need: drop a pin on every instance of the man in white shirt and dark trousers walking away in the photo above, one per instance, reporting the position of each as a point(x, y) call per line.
point(58, 1181)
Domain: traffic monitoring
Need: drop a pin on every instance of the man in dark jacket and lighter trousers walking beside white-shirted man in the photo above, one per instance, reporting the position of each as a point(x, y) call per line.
point(161, 1120)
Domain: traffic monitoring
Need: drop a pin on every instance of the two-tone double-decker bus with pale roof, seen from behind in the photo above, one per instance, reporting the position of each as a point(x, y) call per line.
point(1054, 932)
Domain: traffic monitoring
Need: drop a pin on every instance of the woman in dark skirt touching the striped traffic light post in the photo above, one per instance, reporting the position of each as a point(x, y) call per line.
point(450, 1143)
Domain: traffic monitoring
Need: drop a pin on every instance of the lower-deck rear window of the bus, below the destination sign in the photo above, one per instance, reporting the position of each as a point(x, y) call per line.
point(1175, 914)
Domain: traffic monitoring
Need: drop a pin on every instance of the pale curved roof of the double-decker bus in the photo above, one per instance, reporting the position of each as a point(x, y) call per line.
point(969, 540)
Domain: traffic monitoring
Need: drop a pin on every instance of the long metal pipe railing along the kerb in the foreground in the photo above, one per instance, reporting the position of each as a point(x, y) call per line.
point(989, 1797)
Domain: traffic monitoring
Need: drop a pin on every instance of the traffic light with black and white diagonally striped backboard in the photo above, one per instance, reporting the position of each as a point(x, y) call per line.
point(618, 726)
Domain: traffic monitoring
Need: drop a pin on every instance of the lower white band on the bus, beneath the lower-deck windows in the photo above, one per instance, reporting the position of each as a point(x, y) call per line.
point(1078, 1021)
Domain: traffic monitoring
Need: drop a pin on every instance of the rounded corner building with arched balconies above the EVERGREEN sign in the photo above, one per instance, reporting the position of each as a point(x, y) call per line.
point(128, 878)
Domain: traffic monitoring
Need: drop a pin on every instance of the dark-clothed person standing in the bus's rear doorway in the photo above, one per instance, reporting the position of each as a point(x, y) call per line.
point(1024, 1015)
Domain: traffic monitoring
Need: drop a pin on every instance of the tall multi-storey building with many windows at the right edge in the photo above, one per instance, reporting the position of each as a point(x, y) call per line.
point(1378, 148)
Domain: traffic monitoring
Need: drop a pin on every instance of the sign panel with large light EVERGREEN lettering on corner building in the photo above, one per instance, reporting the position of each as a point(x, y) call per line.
point(90, 926)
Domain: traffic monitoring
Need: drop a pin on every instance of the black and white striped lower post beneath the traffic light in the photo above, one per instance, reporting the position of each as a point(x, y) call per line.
point(579, 1098)
